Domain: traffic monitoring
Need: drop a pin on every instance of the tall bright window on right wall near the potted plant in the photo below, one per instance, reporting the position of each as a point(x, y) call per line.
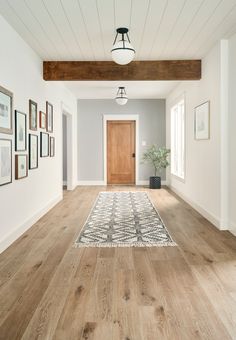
point(178, 139)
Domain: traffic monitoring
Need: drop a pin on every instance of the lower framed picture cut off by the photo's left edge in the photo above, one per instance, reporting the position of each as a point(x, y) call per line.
point(5, 161)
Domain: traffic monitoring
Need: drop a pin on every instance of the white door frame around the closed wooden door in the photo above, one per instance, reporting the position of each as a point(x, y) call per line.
point(108, 117)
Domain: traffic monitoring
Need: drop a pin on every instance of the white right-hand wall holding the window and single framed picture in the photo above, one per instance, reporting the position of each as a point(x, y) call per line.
point(203, 158)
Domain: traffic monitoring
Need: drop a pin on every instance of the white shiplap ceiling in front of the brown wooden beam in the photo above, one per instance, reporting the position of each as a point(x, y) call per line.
point(85, 29)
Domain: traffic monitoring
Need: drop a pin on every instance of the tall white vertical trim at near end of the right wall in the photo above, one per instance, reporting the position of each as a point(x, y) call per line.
point(224, 148)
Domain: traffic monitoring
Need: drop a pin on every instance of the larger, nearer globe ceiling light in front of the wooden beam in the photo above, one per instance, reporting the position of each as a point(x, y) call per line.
point(122, 51)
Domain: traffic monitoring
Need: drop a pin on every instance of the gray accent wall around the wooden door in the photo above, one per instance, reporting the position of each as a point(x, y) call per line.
point(152, 129)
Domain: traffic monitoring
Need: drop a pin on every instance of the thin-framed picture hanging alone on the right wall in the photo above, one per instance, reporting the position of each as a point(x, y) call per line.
point(202, 121)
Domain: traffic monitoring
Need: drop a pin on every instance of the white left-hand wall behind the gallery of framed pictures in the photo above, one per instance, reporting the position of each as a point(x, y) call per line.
point(24, 201)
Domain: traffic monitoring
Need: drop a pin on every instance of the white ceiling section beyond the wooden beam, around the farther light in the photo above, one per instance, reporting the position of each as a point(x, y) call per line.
point(108, 89)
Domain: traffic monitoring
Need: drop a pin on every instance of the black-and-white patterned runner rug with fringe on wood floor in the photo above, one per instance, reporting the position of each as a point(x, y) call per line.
point(124, 219)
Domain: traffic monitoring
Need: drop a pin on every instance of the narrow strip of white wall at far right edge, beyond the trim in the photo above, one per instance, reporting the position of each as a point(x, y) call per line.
point(232, 134)
